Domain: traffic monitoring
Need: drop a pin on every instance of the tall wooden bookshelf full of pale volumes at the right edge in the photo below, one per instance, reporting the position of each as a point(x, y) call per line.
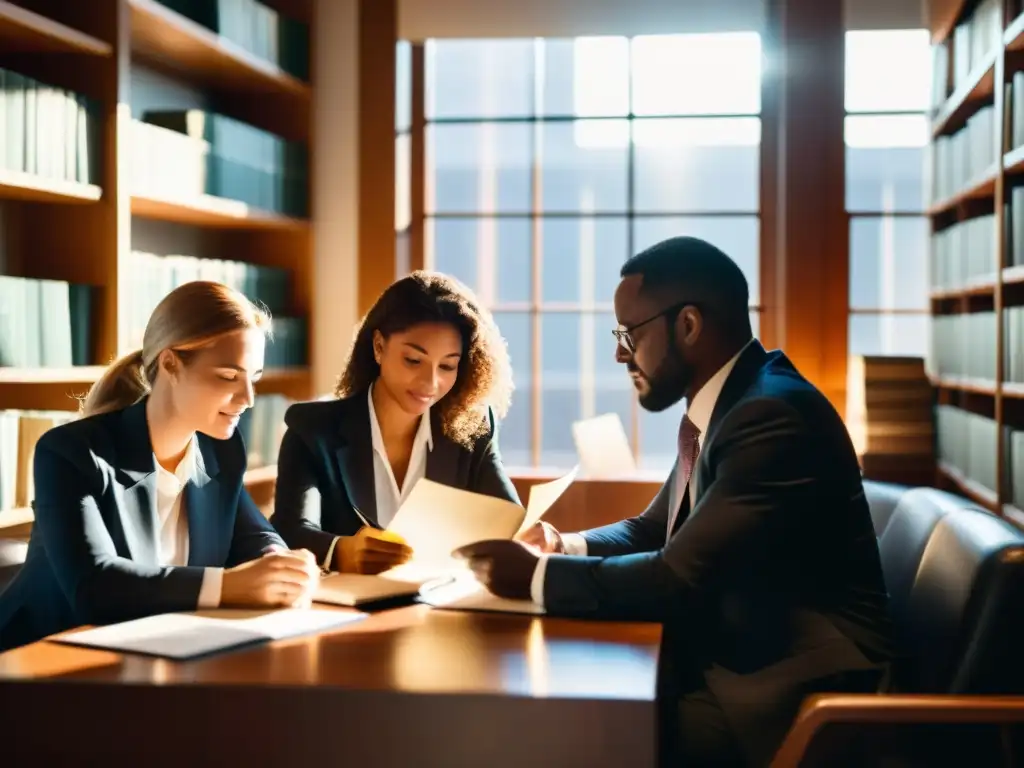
point(977, 293)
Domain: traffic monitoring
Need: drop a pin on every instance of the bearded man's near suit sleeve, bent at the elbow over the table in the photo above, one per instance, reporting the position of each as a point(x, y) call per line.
point(765, 471)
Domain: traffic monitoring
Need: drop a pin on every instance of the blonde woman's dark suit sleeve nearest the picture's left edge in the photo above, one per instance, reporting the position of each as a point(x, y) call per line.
point(101, 586)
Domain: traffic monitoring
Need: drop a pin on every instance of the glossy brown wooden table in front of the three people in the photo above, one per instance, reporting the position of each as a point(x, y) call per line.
point(405, 688)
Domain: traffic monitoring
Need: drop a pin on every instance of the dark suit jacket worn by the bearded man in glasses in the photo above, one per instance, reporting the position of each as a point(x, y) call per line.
point(773, 582)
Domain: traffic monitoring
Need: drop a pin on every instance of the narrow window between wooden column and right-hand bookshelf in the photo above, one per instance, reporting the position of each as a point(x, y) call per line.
point(888, 82)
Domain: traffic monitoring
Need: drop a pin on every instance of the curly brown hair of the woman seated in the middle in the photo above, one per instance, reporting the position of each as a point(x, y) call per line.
point(485, 377)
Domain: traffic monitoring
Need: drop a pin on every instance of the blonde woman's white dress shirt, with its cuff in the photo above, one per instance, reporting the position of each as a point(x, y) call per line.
point(173, 538)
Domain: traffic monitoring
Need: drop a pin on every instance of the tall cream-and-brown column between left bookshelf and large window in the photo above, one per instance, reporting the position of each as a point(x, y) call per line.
point(354, 187)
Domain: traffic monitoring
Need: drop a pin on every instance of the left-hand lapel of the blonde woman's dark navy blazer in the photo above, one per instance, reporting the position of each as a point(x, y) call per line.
point(137, 472)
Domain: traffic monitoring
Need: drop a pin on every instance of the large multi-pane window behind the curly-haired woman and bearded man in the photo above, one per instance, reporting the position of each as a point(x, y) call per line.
point(549, 162)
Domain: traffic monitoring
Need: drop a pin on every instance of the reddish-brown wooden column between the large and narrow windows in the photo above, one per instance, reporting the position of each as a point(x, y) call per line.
point(805, 254)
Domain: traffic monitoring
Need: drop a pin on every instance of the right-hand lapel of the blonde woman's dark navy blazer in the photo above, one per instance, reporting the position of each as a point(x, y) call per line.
point(203, 506)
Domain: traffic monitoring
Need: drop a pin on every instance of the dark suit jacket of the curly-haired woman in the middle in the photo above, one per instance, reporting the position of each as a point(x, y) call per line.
point(326, 472)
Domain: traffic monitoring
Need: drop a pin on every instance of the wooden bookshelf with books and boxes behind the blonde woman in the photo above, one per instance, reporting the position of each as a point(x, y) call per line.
point(81, 206)
